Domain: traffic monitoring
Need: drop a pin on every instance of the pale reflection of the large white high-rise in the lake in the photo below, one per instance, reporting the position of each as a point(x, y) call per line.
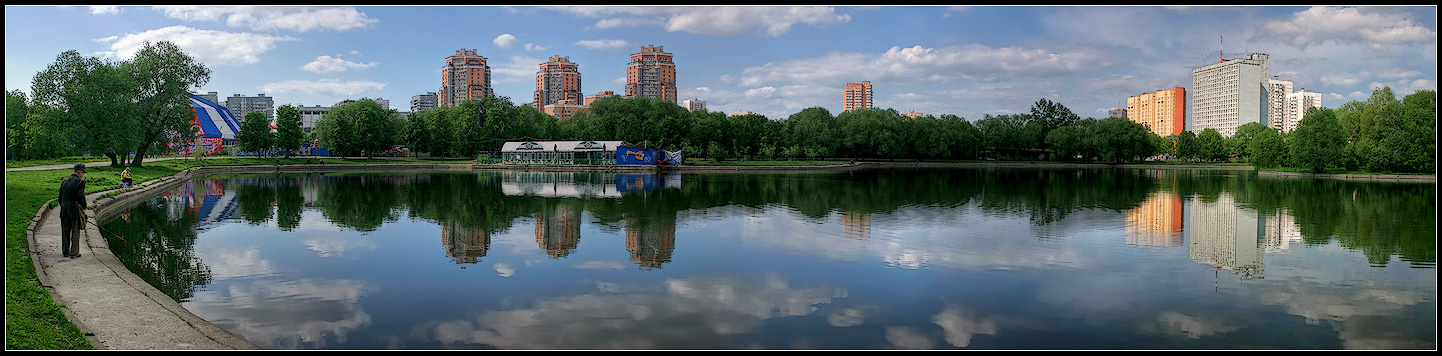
point(1226, 237)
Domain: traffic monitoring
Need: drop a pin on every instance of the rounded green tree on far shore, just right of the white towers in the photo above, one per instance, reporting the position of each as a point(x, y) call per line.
point(1319, 141)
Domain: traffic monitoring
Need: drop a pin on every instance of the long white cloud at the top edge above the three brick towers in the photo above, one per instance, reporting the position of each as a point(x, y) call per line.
point(771, 21)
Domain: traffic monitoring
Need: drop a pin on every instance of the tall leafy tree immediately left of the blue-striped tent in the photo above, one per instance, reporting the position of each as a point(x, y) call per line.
point(165, 77)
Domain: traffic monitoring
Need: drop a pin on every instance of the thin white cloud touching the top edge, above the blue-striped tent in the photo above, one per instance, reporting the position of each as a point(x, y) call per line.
point(273, 18)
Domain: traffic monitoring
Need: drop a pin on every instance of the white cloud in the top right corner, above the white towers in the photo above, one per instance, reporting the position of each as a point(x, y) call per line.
point(1323, 24)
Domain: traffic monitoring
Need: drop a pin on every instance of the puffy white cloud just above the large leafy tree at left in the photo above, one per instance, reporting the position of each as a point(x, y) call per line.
point(207, 47)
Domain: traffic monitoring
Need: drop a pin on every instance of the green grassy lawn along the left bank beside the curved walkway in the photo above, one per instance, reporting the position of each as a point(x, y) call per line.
point(32, 319)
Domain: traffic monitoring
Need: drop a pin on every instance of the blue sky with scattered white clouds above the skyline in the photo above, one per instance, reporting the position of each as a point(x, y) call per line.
point(774, 61)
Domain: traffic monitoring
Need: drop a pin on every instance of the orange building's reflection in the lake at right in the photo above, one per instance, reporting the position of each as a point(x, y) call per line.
point(1157, 223)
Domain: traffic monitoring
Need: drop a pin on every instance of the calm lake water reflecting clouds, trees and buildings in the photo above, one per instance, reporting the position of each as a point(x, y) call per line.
point(902, 259)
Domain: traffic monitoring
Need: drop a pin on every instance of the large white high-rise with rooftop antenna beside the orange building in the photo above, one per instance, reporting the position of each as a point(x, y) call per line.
point(1229, 94)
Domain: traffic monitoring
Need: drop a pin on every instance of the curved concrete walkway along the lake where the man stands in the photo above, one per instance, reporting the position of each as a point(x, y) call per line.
point(113, 306)
